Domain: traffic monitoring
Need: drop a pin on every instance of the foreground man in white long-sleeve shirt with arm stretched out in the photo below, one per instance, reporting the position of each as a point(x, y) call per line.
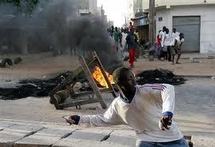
point(148, 109)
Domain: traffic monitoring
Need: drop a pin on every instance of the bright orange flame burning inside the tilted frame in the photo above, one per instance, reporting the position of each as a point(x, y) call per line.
point(98, 76)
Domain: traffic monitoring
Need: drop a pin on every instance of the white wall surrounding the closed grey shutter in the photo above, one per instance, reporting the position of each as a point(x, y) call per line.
point(207, 16)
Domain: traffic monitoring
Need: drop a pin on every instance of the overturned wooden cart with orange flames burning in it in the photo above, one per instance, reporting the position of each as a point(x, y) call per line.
point(69, 93)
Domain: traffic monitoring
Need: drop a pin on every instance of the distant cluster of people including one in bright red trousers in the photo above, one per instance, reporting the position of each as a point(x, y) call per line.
point(125, 40)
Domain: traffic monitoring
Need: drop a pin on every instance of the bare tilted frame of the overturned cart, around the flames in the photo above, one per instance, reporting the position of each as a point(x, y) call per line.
point(88, 96)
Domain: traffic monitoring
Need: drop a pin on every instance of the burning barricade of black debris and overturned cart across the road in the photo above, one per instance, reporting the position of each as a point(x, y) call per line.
point(82, 86)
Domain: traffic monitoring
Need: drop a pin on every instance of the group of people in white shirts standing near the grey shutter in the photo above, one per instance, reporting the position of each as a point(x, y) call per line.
point(169, 44)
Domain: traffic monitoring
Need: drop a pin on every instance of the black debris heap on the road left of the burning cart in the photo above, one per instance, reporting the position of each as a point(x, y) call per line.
point(34, 87)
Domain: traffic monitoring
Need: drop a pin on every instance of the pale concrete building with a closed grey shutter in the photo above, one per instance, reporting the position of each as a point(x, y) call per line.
point(194, 18)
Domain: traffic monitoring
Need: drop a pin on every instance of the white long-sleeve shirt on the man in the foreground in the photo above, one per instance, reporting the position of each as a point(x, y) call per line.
point(142, 114)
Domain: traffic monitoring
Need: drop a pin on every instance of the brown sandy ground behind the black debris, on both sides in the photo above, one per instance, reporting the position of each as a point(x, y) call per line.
point(44, 65)
